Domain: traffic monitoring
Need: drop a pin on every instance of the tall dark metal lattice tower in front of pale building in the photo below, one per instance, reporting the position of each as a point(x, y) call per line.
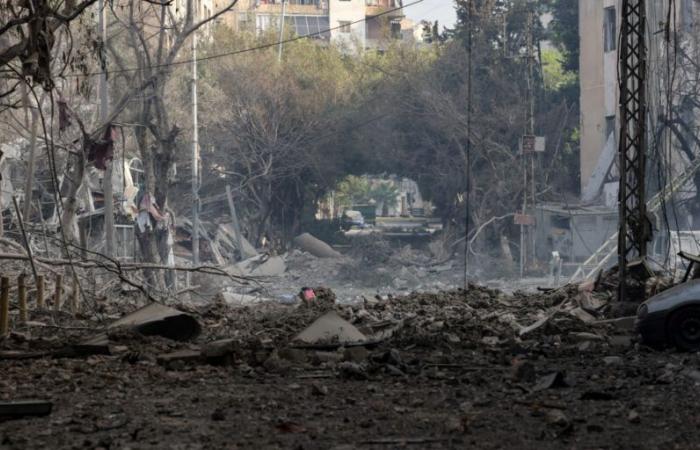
point(634, 231)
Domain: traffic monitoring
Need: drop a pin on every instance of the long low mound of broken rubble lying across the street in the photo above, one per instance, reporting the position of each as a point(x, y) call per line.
point(271, 335)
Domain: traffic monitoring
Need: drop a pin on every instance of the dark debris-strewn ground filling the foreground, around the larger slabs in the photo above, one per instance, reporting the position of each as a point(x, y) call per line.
point(456, 373)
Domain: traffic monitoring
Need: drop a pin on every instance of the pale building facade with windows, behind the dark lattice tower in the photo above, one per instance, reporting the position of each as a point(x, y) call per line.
point(599, 28)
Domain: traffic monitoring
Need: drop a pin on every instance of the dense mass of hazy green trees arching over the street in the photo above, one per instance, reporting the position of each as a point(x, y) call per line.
point(284, 134)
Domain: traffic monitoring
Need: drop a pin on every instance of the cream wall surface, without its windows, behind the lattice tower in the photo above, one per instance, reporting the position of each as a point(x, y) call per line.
point(599, 77)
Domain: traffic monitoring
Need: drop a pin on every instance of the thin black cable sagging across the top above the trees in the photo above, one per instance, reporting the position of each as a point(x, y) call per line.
point(245, 50)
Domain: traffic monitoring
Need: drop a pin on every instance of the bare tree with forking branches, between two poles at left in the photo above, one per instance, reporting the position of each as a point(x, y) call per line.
point(155, 35)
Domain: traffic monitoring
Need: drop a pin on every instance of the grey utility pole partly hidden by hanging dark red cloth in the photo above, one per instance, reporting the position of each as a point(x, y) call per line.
point(107, 178)
